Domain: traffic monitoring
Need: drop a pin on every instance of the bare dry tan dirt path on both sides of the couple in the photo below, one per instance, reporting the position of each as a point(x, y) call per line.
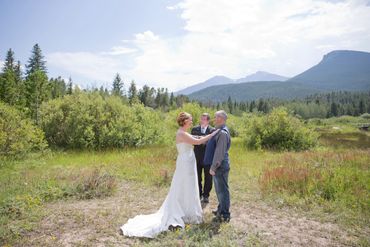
point(96, 222)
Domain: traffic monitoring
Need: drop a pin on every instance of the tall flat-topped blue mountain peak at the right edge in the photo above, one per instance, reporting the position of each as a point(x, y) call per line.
point(338, 70)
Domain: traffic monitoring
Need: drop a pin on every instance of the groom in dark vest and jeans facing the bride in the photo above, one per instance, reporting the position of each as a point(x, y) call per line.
point(217, 154)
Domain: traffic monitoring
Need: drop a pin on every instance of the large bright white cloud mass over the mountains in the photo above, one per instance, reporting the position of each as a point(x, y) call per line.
point(233, 38)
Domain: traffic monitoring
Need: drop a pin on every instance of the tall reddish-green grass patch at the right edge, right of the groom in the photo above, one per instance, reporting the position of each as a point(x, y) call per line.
point(332, 179)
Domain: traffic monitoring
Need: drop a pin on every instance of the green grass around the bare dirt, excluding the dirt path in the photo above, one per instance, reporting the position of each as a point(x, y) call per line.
point(334, 185)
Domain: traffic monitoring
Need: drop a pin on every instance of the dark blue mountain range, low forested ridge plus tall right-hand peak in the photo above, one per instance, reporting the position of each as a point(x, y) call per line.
point(338, 71)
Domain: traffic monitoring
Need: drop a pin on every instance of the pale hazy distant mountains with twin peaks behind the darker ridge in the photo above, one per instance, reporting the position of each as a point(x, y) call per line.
point(220, 80)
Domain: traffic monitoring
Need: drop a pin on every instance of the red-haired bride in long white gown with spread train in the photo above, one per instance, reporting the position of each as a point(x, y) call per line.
point(182, 204)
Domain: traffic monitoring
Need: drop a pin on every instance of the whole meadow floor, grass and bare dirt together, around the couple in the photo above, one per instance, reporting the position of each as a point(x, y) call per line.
point(81, 198)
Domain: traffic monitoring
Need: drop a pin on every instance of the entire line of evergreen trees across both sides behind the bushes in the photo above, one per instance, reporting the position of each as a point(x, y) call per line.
point(27, 90)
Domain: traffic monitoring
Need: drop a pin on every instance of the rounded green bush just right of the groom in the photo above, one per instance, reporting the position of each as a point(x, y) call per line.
point(278, 131)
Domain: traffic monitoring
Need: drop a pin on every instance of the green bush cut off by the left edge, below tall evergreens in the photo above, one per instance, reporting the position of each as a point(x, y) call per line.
point(18, 135)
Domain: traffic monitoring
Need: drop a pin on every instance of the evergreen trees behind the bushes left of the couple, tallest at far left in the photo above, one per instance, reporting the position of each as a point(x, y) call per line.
point(26, 90)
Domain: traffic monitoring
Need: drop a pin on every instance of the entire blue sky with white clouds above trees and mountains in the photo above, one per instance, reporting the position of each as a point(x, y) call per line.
point(178, 43)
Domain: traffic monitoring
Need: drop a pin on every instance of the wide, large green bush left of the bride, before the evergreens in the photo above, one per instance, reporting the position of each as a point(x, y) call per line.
point(87, 120)
